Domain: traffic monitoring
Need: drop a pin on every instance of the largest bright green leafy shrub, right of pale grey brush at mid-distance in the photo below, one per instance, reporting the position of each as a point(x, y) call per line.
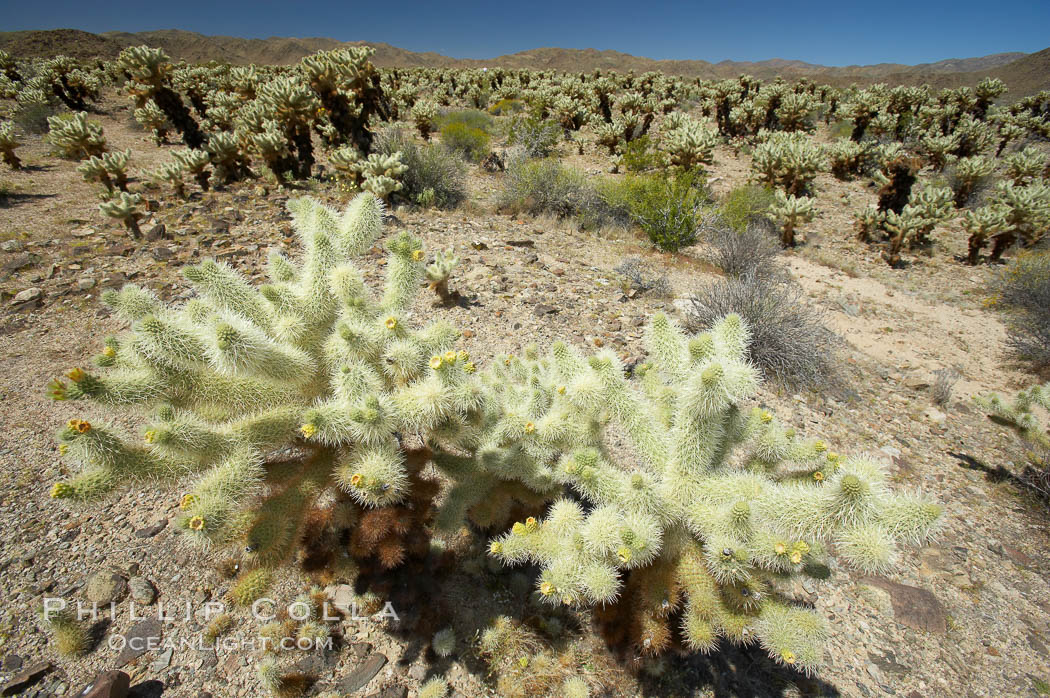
point(667, 207)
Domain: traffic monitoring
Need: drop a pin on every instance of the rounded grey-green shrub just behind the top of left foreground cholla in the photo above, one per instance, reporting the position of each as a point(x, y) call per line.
point(435, 176)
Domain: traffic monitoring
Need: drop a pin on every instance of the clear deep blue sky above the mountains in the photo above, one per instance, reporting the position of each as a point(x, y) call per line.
point(827, 32)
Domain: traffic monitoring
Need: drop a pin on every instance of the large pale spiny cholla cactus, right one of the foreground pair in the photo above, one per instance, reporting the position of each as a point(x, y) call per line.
point(723, 504)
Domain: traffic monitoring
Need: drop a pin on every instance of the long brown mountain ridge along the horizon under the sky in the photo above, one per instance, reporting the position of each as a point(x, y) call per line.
point(1023, 73)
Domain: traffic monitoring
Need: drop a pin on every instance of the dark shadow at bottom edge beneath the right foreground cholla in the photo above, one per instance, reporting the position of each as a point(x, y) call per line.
point(737, 672)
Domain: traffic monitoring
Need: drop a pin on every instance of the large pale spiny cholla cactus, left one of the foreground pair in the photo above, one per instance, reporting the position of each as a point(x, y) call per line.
point(309, 361)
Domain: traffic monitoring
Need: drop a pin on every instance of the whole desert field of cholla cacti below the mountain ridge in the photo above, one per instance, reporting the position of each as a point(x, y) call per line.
point(365, 351)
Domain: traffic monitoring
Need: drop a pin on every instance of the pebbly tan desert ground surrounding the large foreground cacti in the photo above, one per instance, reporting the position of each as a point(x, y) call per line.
point(967, 617)
